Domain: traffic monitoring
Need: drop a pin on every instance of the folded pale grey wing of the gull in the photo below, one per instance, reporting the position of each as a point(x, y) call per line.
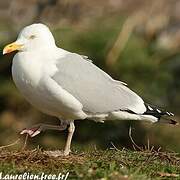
point(95, 89)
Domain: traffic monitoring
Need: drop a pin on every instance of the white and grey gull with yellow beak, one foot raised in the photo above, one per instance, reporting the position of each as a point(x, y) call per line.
point(70, 87)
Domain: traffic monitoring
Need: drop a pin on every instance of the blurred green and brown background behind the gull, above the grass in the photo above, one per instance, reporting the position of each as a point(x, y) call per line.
point(135, 41)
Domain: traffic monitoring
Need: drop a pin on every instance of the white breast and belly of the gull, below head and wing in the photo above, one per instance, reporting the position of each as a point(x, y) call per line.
point(31, 78)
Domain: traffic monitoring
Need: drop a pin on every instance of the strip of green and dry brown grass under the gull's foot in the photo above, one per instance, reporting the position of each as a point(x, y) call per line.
point(109, 164)
